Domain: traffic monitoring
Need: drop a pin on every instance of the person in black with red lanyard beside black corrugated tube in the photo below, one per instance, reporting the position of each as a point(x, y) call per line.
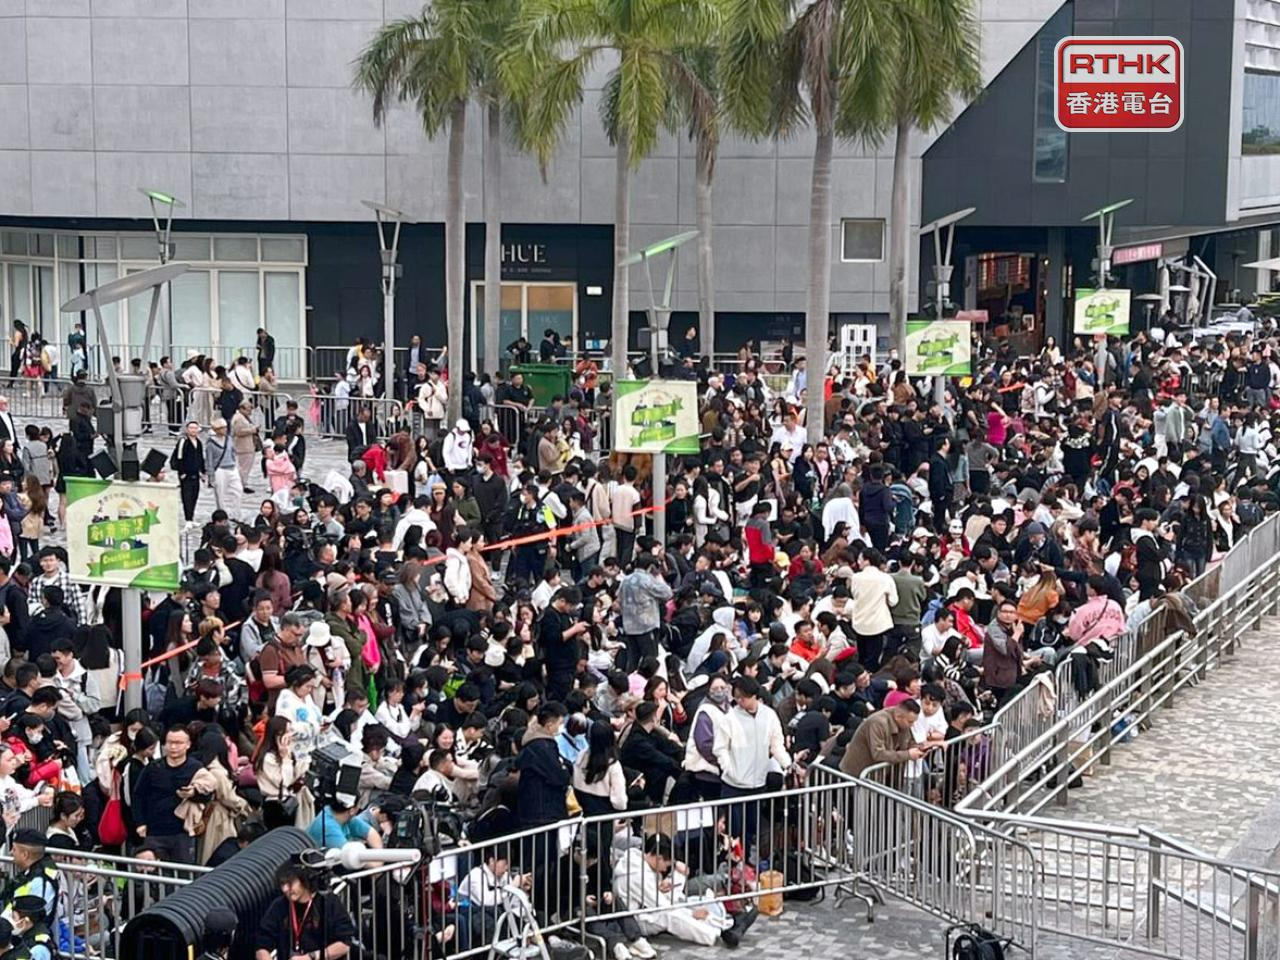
point(304, 924)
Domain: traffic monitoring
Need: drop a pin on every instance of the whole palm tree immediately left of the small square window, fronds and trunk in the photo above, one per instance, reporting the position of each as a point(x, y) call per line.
point(821, 62)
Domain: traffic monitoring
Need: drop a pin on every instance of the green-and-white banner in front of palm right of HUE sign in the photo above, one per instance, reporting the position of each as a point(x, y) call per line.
point(656, 417)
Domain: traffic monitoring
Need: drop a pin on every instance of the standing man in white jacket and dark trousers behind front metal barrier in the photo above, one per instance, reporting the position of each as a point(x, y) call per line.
point(748, 739)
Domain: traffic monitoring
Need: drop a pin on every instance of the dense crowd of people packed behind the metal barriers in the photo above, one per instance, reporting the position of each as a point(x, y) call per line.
point(486, 621)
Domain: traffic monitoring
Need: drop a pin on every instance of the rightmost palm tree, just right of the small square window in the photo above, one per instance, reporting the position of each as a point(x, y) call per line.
point(939, 60)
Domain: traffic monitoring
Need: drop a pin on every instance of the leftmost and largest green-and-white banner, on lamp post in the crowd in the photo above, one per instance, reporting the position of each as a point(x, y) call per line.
point(124, 534)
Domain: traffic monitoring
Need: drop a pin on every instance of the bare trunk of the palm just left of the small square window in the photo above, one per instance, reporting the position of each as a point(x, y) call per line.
point(819, 305)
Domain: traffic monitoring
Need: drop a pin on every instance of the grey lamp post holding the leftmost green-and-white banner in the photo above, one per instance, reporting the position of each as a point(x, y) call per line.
point(129, 395)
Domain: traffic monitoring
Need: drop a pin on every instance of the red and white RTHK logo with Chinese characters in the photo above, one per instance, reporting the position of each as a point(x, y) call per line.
point(1114, 85)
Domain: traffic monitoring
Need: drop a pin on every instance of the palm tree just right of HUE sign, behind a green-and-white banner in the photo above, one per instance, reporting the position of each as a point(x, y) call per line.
point(563, 40)
